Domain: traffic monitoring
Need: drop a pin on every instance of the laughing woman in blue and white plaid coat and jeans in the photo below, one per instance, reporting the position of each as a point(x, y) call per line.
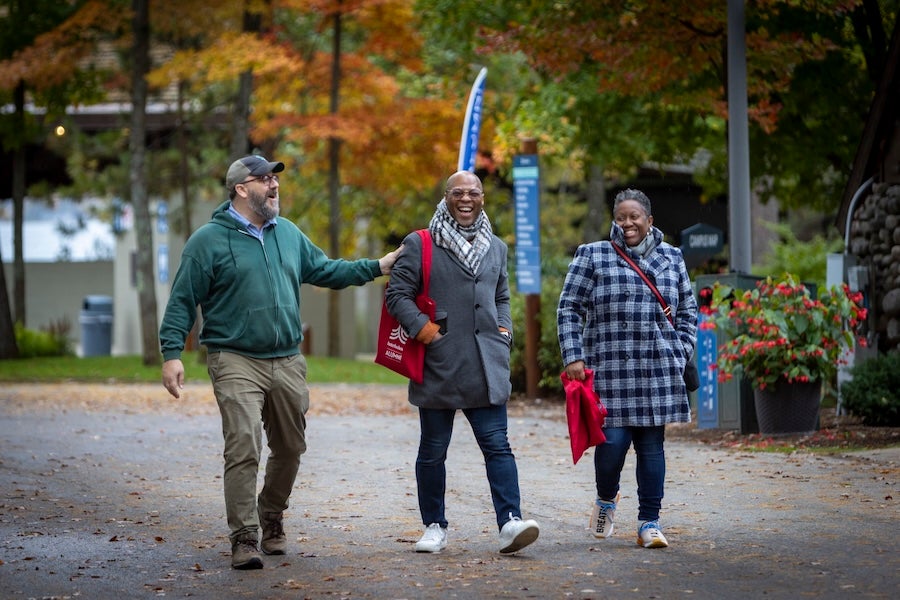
point(610, 321)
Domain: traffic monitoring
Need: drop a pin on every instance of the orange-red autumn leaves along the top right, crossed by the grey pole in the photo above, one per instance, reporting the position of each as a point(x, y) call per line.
point(674, 51)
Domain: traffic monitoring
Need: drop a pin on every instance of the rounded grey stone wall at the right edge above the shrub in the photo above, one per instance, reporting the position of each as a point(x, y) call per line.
point(875, 241)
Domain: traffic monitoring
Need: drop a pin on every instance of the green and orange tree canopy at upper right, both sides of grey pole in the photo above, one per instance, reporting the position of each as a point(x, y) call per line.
point(670, 59)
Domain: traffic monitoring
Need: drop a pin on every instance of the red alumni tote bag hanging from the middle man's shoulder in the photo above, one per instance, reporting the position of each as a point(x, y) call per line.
point(396, 350)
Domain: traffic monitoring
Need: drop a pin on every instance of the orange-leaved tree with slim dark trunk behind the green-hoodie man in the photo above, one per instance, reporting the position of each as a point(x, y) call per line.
point(352, 100)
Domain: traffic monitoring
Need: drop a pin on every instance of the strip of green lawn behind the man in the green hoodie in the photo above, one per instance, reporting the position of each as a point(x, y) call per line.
point(130, 369)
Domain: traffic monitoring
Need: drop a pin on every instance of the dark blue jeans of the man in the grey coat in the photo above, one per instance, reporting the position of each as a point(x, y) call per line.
point(489, 426)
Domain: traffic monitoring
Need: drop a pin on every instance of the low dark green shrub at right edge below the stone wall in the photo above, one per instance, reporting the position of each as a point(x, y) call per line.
point(874, 392)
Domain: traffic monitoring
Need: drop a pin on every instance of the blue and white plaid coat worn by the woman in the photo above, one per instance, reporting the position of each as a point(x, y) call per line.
point(609, 318)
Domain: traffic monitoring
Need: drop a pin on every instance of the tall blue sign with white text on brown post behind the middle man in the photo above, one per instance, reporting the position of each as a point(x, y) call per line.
point(526, 187)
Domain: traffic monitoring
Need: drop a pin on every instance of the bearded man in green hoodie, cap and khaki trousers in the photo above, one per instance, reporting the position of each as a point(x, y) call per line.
point(244, 269)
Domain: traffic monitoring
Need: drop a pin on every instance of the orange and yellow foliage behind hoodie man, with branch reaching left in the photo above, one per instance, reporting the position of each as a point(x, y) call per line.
point(399, 132)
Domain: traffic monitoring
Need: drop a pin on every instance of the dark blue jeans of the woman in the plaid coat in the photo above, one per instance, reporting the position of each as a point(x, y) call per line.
point(609, 458)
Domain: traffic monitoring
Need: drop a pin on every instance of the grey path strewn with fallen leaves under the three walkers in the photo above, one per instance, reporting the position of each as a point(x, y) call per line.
point(115, 492)
